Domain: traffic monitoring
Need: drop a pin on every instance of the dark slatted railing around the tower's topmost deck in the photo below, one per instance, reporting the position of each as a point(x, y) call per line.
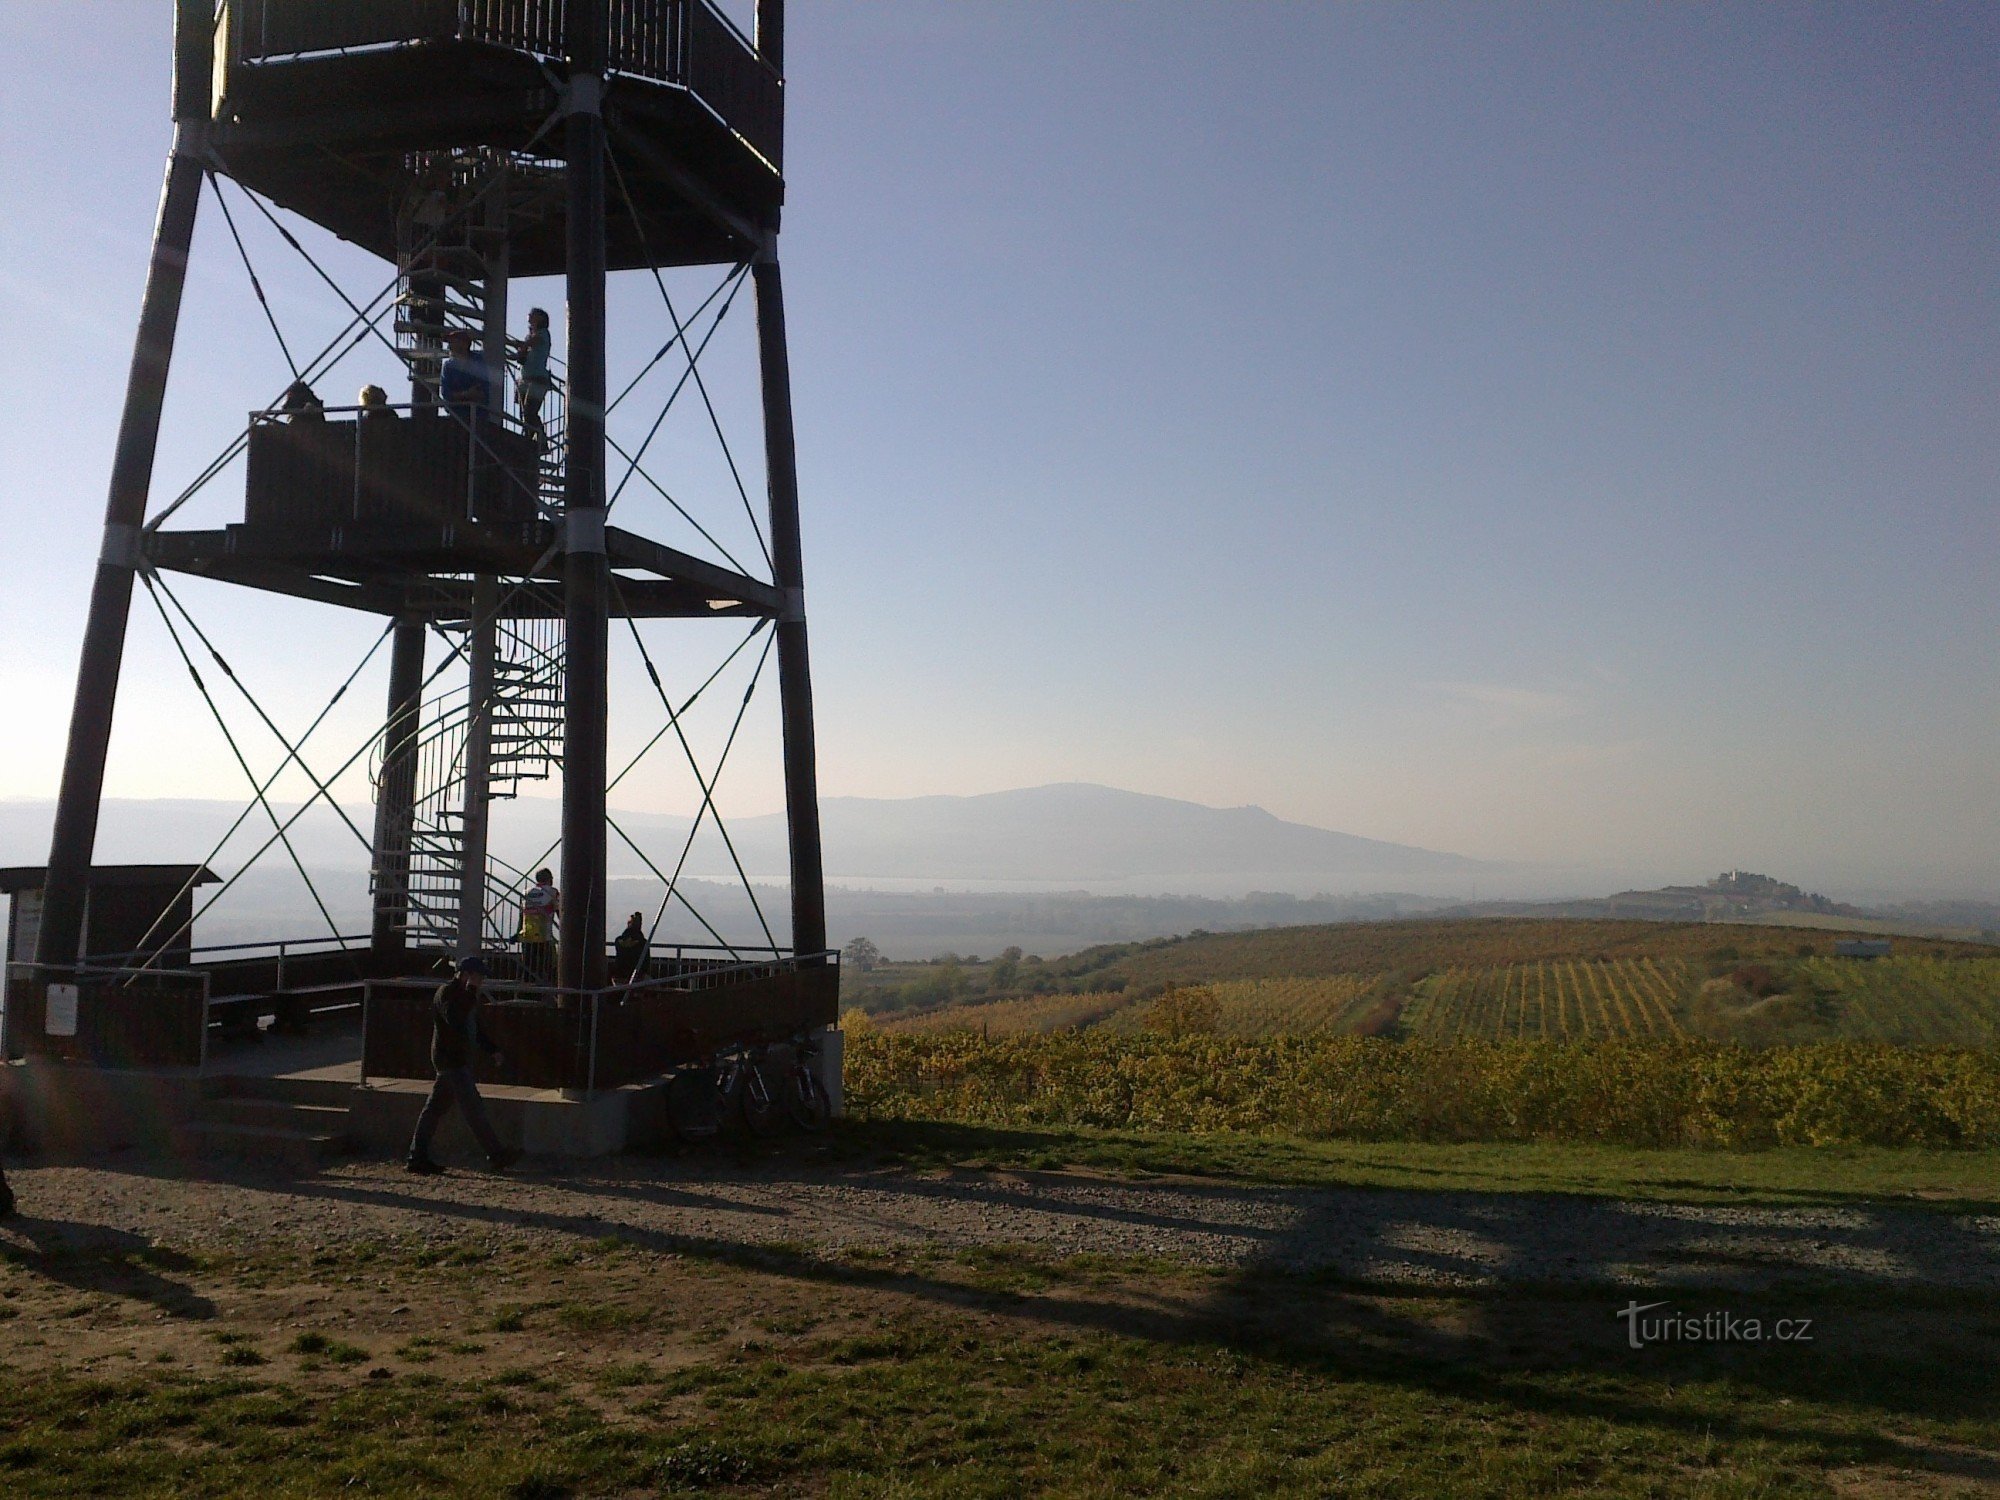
point(681, 43)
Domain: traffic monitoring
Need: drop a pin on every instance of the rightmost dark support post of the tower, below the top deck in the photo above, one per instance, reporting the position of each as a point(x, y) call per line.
point(789, 571)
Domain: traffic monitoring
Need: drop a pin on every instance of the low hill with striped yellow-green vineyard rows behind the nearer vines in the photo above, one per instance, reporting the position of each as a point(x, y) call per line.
point(1507, 979)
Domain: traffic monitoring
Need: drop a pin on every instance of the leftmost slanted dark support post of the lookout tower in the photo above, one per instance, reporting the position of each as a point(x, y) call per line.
point(125, 515)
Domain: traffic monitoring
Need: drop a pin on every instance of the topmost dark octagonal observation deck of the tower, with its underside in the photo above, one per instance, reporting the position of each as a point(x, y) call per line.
point(337, 111)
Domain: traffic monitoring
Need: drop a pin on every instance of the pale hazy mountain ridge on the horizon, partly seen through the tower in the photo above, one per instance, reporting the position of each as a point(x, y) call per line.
point(1069, 835)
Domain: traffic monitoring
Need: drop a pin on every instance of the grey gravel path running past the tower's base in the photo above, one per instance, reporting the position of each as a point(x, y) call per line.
point(1447, 1239)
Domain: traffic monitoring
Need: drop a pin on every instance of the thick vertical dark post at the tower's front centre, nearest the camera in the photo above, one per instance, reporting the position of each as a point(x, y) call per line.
point(587, 571)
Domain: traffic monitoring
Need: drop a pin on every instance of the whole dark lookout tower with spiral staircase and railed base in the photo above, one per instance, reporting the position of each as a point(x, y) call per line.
point(467, 145)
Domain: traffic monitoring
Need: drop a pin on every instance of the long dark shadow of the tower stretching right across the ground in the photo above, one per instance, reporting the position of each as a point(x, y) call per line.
point(1893, 1343)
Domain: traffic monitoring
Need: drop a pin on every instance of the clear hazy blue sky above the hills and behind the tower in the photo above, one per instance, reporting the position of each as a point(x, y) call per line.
point(1551, 433)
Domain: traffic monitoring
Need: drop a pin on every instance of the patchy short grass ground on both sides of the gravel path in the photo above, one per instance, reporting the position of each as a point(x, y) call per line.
point(623, 1369)
